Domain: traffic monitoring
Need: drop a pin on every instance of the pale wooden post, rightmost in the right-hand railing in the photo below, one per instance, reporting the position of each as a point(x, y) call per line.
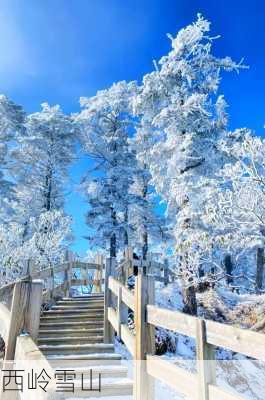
point(205, 361)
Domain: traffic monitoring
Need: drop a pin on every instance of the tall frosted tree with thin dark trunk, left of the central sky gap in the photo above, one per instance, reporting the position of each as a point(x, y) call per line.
point(42, 159)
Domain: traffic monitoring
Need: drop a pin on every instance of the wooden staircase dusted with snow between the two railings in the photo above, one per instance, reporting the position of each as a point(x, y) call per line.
point(71, 337)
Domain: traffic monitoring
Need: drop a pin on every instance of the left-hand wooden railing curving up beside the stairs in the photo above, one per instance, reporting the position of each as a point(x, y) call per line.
point(21, 301)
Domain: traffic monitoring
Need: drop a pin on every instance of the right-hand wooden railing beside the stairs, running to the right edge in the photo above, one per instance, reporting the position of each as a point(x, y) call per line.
point(141, 342)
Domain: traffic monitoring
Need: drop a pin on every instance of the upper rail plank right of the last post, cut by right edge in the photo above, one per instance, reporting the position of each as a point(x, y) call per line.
point(239, 340)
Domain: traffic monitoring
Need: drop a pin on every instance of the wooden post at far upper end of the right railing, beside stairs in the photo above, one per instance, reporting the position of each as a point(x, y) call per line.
point(108, 330)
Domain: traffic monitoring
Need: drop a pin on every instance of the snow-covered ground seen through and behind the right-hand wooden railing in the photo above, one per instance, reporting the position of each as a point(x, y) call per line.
point(235, 372)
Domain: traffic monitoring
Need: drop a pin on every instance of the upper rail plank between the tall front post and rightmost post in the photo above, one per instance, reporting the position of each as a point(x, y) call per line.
point(172, 320)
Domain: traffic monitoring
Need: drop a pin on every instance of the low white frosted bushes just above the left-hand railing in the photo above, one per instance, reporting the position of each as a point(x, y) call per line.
point(46, 247)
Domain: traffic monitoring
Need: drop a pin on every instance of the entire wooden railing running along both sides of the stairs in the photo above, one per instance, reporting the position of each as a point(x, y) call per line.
point(23, 313)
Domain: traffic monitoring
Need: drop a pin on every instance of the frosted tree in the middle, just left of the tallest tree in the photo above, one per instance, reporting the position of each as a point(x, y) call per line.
point(105, 124)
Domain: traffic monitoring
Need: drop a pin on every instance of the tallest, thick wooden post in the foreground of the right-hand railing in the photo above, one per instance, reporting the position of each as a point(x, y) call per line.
point(144, 339)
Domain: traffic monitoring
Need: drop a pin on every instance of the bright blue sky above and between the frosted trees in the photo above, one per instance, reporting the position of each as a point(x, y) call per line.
point(59, 50)
